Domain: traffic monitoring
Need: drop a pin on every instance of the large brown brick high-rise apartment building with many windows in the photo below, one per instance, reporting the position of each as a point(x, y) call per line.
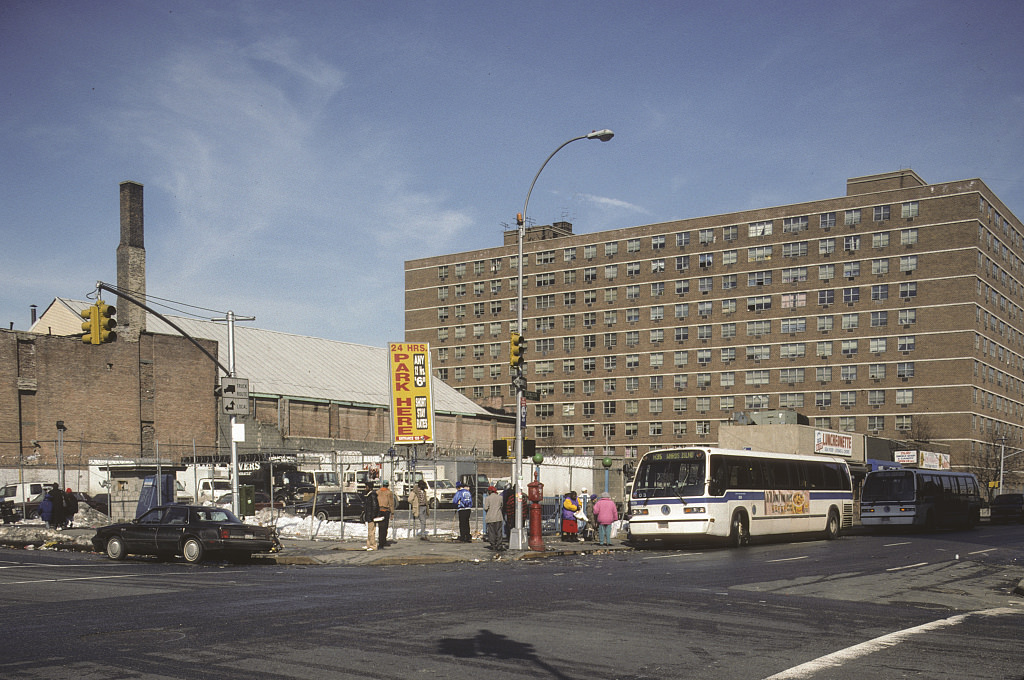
point(897, 310)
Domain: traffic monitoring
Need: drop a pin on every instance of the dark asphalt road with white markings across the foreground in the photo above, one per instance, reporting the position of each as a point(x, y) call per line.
point(865, 607)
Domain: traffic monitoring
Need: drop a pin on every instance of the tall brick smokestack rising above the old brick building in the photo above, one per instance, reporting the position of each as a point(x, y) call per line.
point(132, 264)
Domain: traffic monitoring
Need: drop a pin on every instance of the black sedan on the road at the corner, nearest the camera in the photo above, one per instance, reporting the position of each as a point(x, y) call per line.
point(191, 531)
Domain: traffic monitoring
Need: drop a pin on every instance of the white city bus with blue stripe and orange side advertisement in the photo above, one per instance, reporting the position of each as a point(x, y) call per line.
point(694, 492)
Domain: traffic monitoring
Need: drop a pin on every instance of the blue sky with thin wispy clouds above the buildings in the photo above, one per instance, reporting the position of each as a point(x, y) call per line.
point(296, 154)
